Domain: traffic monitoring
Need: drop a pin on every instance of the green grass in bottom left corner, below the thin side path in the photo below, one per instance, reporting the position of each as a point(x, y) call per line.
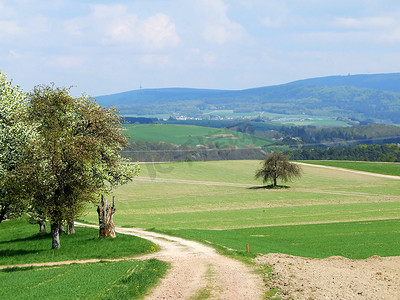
point(105, 280)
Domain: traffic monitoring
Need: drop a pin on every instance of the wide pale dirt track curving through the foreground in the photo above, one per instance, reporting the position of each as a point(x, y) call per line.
point(197, 269)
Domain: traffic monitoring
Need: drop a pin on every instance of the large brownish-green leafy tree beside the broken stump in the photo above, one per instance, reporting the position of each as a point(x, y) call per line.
point(76, 155)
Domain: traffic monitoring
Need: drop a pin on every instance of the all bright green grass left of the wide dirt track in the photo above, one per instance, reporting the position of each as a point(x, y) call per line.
point(20, 244)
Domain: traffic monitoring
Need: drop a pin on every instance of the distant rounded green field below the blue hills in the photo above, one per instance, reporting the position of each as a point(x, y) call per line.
point(192, 135)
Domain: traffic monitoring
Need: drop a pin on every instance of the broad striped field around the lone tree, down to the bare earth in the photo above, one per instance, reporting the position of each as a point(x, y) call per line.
point(213, 200)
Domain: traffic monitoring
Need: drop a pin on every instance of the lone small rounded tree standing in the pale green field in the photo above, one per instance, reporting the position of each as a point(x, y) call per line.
point(277, 166)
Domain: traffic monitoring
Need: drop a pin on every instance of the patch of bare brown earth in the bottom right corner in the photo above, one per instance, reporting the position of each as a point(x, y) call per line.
point(334, 277)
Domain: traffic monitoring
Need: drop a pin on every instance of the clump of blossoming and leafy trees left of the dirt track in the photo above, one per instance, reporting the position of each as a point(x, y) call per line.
point(57, 154)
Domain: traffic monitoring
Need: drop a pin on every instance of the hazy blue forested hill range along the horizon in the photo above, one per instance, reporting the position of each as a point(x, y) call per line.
point(363, 97)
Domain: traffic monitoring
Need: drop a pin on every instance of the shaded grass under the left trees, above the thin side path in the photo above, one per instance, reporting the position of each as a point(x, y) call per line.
point(20, 243)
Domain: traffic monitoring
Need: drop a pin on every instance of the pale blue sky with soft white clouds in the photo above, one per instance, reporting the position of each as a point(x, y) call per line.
point(105, 47)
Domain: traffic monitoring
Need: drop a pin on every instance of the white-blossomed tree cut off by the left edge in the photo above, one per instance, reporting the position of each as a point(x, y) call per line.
point(15, 135)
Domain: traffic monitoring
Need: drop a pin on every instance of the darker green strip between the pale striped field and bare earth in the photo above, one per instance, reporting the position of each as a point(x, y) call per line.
point(355, 240)
